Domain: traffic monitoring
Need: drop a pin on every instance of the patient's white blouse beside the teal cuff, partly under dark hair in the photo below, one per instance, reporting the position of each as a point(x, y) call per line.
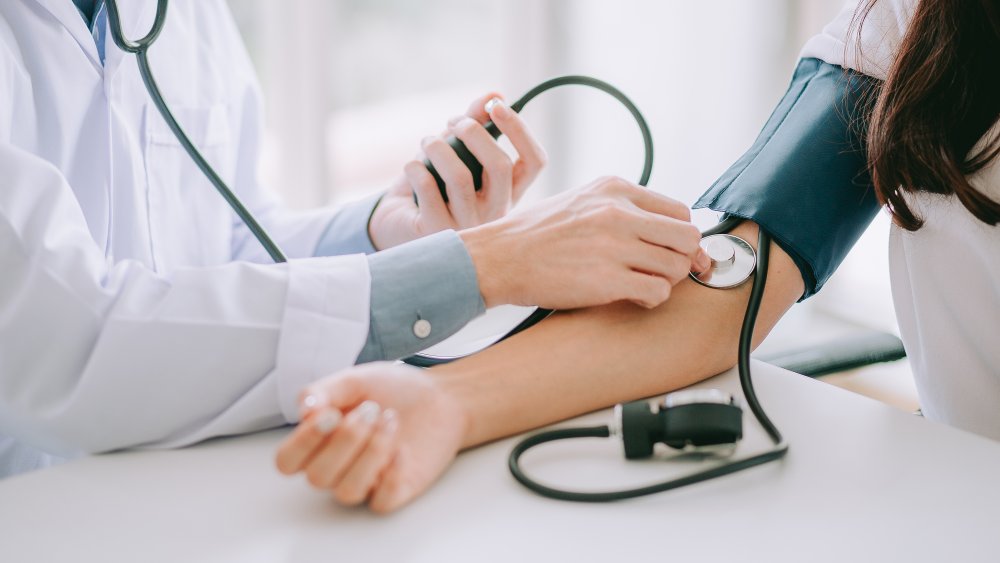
point(945, 276)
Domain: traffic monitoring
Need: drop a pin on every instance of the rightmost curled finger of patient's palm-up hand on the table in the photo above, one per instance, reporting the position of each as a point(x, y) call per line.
point(357, 483)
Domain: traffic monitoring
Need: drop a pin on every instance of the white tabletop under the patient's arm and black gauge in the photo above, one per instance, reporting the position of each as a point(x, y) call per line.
point(862, 482)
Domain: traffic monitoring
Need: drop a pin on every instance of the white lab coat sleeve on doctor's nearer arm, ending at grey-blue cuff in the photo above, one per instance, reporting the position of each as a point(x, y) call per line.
point(97, 356)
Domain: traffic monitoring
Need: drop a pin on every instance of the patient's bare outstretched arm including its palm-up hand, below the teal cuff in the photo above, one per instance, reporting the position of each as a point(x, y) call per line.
point(404, 425)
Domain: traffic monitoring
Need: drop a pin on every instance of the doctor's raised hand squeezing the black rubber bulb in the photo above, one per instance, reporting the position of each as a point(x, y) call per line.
point(398, 219)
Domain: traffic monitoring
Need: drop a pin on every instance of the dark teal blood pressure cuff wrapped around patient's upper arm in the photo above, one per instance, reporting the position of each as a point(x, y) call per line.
point(805, 179)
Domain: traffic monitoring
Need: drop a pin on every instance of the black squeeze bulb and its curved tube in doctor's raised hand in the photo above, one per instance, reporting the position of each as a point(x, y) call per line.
point(476, 168)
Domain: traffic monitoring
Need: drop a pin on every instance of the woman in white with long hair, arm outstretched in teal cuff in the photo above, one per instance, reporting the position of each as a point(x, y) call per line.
point(932, 149)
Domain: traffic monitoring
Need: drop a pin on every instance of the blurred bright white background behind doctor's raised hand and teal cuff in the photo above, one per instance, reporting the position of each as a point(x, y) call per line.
point(353, 85)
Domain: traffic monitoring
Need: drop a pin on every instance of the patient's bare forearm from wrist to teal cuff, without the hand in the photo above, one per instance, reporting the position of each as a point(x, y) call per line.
point(580, 361)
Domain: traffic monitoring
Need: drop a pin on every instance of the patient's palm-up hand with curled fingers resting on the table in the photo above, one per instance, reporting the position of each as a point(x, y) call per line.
point(379, 434)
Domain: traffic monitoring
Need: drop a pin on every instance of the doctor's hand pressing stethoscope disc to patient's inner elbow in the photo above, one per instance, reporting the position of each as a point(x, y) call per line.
point(609, 241)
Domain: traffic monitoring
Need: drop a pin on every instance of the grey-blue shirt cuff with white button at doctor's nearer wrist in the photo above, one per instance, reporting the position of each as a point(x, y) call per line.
point(421, 293)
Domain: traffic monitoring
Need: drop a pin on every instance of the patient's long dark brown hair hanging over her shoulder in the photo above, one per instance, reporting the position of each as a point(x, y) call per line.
point(942, 95)
